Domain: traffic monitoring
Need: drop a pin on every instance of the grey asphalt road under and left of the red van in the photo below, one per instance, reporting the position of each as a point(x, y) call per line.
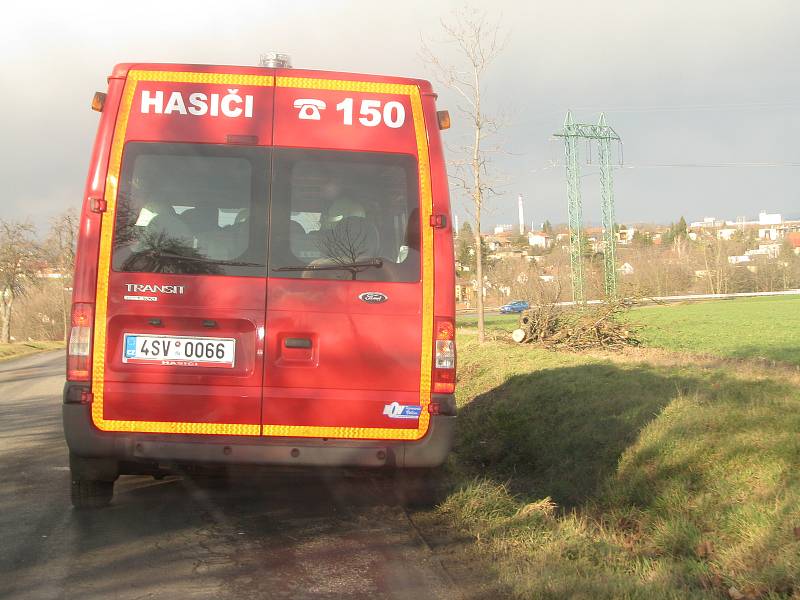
point(261, 535)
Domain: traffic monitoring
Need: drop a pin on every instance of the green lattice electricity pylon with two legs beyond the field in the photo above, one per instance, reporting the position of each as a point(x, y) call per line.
point(601, 132)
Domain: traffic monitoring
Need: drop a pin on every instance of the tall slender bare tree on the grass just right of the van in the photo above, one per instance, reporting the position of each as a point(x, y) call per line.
point(477, 43)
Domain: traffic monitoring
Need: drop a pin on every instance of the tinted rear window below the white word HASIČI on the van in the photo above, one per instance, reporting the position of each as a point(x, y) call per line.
point(192, 209)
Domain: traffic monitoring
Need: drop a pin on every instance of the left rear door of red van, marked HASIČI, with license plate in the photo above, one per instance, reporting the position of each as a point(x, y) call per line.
point(181, 278)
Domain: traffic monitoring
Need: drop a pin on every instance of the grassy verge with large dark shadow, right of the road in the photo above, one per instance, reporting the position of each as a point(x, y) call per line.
point(587, 477)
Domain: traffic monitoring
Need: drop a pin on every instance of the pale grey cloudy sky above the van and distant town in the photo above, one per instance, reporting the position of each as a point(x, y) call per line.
point(704, 93)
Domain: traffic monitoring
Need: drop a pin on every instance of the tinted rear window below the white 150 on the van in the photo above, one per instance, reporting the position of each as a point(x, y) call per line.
point(344, 215)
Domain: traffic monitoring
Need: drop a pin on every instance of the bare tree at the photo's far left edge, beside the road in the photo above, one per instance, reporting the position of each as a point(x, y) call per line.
point(18, 256)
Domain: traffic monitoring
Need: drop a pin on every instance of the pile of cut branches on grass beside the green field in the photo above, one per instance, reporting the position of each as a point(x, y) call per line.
point(577, 327)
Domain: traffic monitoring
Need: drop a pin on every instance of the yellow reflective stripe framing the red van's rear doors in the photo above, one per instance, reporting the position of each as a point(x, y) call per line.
point(106, 237)
